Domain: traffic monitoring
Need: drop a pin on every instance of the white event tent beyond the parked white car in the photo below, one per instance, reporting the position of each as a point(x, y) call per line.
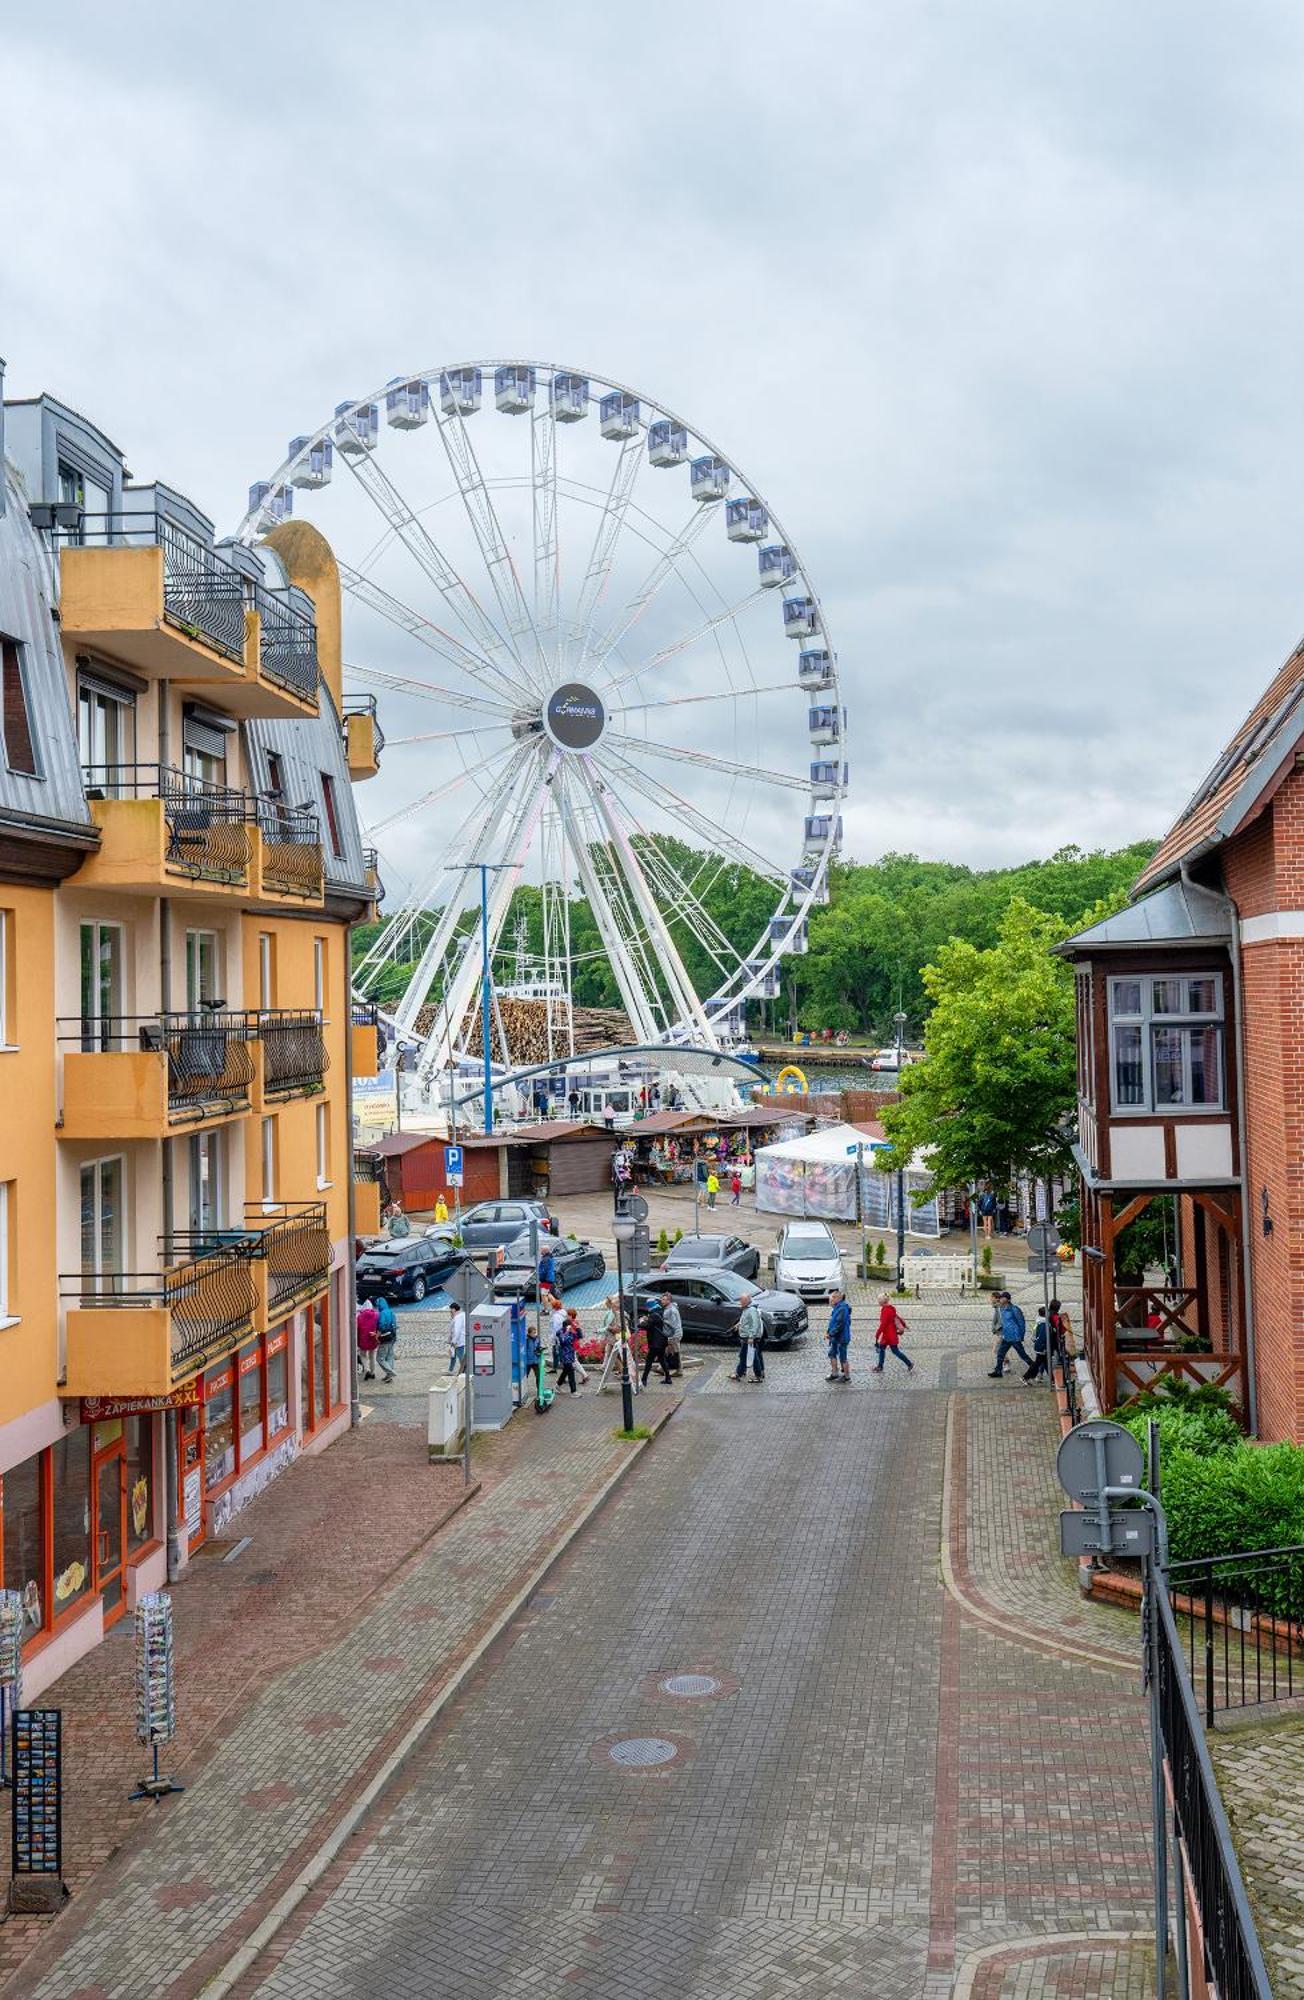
point(817, 1177)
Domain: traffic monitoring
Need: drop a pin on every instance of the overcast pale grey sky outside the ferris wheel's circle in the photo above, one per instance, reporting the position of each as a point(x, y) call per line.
point(997, 301)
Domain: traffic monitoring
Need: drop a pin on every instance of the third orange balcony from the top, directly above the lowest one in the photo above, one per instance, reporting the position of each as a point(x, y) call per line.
point(149, 1077)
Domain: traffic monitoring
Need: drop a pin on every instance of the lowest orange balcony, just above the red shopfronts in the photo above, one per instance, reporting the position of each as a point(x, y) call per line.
point(149, 1333)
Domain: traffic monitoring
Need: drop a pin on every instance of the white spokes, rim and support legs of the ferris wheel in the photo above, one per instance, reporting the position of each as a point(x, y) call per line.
point(533, 783)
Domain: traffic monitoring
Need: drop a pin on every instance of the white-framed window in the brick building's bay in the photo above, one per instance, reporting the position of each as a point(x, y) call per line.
point(1167, 1043)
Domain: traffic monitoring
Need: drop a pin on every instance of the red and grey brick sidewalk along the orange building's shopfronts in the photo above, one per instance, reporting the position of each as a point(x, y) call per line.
point(289, 1697)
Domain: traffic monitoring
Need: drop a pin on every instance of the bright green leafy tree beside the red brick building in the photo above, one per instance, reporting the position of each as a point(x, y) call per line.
point(999, 1075)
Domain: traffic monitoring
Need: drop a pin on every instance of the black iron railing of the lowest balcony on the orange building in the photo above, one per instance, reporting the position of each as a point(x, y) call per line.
point(209, 1293)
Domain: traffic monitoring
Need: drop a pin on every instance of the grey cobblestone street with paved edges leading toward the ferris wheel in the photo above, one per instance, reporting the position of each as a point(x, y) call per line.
point(879, 1745)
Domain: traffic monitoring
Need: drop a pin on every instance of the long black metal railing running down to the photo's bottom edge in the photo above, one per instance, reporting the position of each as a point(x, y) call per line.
point(1233, 1955)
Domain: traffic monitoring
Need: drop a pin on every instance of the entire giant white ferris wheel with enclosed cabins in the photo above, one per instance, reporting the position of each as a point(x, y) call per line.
point(607, 679)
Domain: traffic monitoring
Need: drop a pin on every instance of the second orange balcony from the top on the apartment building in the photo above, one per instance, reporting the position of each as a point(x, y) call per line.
point(163, 829)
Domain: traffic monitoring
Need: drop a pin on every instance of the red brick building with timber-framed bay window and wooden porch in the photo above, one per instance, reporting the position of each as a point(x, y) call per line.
point(1191, 1085)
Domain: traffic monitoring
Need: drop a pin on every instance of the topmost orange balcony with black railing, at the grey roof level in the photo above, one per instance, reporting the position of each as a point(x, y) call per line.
point(153, 595)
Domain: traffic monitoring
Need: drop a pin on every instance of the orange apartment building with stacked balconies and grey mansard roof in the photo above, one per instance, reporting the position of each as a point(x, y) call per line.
point(179, 871)
